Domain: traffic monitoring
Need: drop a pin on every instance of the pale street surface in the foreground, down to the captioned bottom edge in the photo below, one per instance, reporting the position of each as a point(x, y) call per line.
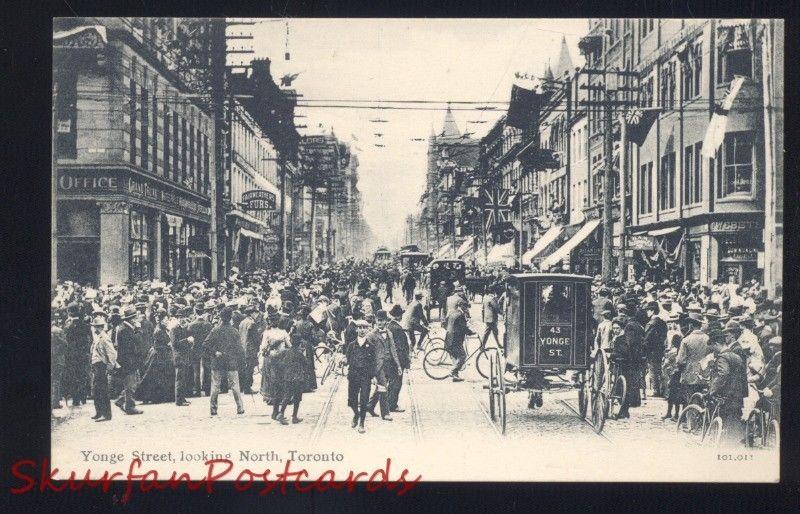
point(444, 434)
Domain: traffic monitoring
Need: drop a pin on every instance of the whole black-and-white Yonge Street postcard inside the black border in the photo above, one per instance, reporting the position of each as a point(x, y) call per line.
point(487, 249)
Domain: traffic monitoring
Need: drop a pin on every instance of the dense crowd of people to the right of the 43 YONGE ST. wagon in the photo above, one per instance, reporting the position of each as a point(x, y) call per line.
point(723, 339)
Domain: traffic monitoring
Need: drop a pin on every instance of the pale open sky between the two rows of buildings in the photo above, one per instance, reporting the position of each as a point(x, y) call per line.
point(380, 60)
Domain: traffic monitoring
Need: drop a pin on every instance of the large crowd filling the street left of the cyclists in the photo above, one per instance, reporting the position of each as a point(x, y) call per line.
point(152, 342)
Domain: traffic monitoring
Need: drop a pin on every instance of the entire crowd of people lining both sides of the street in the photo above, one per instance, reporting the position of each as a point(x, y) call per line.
point(152, 342)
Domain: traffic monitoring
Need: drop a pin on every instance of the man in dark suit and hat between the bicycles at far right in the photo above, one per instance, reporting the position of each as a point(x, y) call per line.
point(728, 381)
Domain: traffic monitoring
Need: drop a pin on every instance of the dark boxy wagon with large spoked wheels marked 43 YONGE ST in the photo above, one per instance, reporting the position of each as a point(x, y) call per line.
point(549, 333)
